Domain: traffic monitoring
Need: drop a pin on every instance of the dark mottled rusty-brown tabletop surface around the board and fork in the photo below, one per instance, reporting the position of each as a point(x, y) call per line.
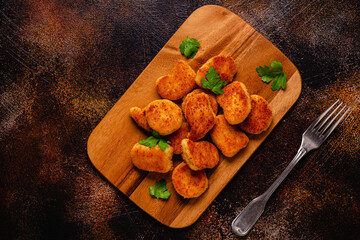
point(64, 64)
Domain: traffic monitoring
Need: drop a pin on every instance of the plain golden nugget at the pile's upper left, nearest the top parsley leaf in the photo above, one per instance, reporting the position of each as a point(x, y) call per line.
point(178, 83)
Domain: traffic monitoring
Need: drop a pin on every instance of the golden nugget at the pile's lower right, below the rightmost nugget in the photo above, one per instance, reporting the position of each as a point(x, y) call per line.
point(228, 138)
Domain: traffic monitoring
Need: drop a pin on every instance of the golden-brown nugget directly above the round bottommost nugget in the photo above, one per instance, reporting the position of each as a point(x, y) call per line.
point(199, 155)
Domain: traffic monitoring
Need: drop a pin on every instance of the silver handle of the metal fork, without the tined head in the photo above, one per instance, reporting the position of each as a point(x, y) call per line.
point(243, 223)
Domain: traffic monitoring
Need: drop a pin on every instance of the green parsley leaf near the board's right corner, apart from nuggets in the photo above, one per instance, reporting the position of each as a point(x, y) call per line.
point(274, 73)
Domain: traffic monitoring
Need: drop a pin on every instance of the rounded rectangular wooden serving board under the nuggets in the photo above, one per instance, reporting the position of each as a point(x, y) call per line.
point(220, 32)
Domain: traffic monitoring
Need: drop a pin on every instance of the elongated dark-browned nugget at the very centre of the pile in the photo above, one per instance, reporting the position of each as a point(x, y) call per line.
point(199, 115)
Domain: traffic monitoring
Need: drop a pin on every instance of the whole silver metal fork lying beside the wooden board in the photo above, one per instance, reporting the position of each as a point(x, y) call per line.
point(312, 138)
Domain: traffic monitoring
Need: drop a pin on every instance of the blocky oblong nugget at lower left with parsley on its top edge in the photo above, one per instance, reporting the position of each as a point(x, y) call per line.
point(152, 159)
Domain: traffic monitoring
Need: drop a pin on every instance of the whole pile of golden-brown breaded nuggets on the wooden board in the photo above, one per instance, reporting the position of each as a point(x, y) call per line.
point(196, 114)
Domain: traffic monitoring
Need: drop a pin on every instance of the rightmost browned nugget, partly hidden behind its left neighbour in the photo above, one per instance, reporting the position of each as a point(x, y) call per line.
point(259, 118)
